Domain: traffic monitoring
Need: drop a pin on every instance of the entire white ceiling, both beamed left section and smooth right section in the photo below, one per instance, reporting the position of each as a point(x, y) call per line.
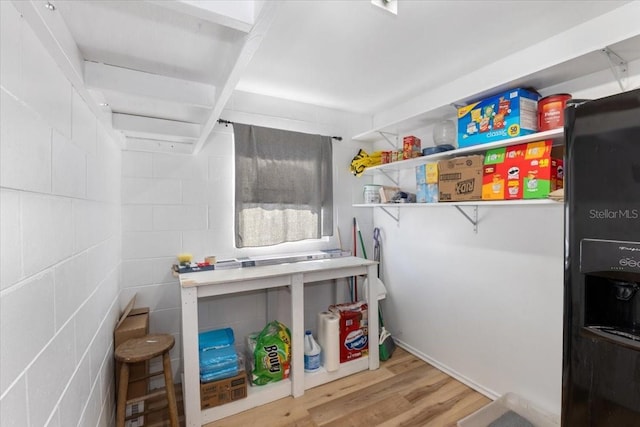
point(167, 68)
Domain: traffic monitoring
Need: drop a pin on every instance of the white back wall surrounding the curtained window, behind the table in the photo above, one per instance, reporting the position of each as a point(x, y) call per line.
point(174, 203)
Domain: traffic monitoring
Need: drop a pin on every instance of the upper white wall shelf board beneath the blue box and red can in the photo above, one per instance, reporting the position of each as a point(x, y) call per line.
point(553, 134)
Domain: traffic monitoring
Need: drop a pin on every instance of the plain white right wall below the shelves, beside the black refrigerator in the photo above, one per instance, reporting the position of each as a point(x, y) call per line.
point(486, 307)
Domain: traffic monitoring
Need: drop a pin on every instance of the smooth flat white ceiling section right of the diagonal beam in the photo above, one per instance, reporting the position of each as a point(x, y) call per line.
point(356, 57)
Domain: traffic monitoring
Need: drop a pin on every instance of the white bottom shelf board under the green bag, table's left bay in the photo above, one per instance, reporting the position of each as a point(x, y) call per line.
point(256, 396)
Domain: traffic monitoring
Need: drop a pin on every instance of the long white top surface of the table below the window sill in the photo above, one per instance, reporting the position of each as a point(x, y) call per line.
point(212, 277)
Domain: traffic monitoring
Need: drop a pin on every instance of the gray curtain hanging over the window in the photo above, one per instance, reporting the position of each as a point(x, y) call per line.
point(284, 187)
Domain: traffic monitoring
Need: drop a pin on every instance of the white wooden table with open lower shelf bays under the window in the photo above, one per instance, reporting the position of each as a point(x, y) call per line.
point(294, 276)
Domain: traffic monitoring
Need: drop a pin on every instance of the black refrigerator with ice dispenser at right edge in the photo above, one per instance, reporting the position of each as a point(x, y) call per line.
point(601, 357)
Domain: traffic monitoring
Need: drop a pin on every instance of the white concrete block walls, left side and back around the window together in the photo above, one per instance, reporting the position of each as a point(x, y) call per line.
point(85, 225)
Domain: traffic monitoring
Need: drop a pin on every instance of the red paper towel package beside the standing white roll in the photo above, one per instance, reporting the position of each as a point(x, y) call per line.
point(354, 332)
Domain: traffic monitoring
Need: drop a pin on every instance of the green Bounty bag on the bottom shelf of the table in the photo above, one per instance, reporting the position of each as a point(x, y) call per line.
point(272, 354)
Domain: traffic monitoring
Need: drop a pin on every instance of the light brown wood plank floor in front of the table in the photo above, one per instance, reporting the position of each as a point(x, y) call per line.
point(405, 391)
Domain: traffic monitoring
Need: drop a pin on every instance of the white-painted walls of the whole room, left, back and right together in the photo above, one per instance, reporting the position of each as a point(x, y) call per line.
point(486, 307)
